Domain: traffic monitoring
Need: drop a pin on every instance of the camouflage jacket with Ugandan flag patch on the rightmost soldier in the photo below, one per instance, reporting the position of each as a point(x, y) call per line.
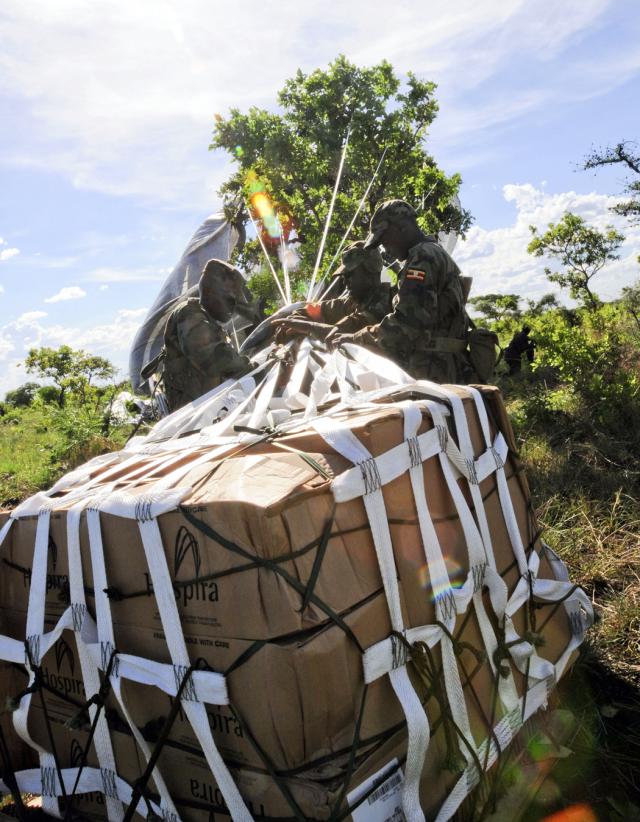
point(426, 330)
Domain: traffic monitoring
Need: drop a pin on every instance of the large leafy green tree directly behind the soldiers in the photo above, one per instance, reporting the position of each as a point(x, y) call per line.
point(287, 162)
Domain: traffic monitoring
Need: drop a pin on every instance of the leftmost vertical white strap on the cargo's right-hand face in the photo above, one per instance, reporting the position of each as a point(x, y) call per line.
point(346, 443)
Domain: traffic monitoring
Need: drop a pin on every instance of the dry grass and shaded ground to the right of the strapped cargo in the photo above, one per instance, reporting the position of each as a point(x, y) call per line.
point(586, 489)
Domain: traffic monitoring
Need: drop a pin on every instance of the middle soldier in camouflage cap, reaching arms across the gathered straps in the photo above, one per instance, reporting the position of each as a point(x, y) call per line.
point(366, 300)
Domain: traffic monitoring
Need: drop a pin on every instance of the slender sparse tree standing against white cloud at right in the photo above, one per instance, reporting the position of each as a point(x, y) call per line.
point(581, 250)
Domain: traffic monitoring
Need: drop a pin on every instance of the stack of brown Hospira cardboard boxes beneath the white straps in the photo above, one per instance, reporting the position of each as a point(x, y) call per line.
point(298, 693)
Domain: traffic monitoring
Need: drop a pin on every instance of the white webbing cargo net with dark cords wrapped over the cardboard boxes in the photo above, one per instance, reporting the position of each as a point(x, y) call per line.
point(432, 668)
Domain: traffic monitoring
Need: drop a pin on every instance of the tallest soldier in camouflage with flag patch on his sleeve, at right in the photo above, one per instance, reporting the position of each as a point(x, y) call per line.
point(426, 332)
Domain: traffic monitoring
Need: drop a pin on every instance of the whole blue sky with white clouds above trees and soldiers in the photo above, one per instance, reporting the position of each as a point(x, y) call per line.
point(107, 111)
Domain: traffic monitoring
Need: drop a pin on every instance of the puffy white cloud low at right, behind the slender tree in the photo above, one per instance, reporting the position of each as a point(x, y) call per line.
point(498, 260)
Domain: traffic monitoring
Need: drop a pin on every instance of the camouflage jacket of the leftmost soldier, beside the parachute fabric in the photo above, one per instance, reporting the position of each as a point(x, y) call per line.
point(198, 354)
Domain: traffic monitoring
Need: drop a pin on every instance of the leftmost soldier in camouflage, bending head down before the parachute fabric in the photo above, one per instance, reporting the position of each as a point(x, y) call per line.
point(198, 354)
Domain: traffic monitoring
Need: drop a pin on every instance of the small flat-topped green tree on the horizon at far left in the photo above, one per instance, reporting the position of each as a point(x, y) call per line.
point(71, 371)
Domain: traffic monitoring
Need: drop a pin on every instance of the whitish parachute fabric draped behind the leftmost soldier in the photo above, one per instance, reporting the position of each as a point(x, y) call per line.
point(214, 238)
